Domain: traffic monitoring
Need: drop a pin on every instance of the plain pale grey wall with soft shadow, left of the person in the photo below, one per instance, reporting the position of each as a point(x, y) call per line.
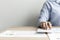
point(19, 12)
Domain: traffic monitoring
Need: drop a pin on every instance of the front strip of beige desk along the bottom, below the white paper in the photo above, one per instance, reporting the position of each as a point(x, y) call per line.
point(23, 38)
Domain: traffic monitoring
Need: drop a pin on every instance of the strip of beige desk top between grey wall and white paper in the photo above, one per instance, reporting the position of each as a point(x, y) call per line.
point(29, 28)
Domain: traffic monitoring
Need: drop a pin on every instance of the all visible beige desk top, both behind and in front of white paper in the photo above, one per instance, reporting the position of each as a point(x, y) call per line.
point(28, 28)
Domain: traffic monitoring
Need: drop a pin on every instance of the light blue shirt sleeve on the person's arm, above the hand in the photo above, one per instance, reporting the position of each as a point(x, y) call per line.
point(45, 12)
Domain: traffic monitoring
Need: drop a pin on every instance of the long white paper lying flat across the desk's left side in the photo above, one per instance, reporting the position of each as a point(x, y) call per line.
point(16, 33)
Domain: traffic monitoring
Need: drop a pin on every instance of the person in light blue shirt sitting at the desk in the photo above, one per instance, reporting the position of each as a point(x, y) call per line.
point(50, 14)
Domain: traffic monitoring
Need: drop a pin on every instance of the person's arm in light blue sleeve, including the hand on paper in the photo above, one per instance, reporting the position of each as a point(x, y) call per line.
point(45, 16)
